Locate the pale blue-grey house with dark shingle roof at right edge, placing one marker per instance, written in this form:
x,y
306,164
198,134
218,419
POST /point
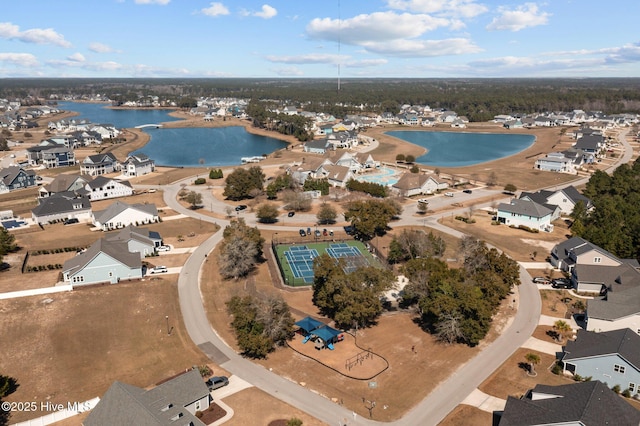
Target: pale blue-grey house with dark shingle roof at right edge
x,y
611,356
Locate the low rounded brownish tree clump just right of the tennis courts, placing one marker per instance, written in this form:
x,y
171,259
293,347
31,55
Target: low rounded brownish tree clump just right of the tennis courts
x,y
413,244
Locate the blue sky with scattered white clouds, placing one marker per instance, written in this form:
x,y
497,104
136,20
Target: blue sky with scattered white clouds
x,y
316,38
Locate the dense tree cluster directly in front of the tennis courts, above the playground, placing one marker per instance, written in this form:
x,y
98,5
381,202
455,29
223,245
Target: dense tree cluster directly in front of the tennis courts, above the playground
x,y
350,299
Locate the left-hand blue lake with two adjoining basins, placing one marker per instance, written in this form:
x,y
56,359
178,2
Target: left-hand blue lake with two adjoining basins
x,y
183,147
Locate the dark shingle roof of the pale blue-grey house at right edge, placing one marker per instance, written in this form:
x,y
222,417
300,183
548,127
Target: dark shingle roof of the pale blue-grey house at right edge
x,y
588,344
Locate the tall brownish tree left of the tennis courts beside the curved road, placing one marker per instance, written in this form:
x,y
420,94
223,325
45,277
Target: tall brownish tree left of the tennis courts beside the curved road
x,y
240,250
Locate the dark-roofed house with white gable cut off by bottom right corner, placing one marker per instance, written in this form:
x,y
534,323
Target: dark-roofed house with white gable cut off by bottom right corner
x,y
585,403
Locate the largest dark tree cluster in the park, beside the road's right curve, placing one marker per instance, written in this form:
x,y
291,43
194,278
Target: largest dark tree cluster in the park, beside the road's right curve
x,y
456,304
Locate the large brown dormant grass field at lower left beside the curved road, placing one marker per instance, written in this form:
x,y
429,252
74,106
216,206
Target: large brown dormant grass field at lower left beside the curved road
x,y
72,346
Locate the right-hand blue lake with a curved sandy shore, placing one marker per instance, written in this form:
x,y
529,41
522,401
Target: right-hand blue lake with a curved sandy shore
x,y
453,149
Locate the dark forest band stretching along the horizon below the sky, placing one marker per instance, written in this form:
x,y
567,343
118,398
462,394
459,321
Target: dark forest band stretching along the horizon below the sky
x,y
477,99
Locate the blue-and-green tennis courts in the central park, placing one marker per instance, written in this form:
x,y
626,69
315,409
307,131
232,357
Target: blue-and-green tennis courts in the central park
x,y
296,261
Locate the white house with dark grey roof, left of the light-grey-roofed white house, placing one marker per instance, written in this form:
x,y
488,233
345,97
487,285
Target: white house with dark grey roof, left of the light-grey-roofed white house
x,y
61,206
